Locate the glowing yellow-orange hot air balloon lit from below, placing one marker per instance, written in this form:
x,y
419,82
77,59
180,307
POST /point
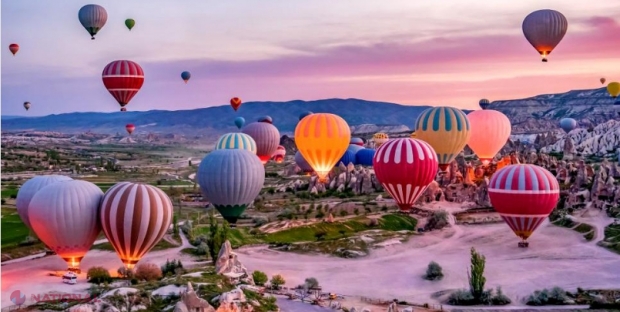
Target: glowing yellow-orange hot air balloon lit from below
x,y
322,139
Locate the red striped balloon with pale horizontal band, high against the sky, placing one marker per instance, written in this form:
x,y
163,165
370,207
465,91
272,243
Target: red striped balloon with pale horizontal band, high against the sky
x,y
123,79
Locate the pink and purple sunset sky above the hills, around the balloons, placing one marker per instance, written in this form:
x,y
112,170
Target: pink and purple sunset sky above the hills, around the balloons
x,y
440,52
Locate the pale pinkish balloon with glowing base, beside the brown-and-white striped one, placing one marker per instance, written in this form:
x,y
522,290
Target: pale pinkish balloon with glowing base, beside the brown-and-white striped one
x,y
64,215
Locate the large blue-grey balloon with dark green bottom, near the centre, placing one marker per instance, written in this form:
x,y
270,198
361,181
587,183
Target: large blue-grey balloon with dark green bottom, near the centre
x,y
231,179
